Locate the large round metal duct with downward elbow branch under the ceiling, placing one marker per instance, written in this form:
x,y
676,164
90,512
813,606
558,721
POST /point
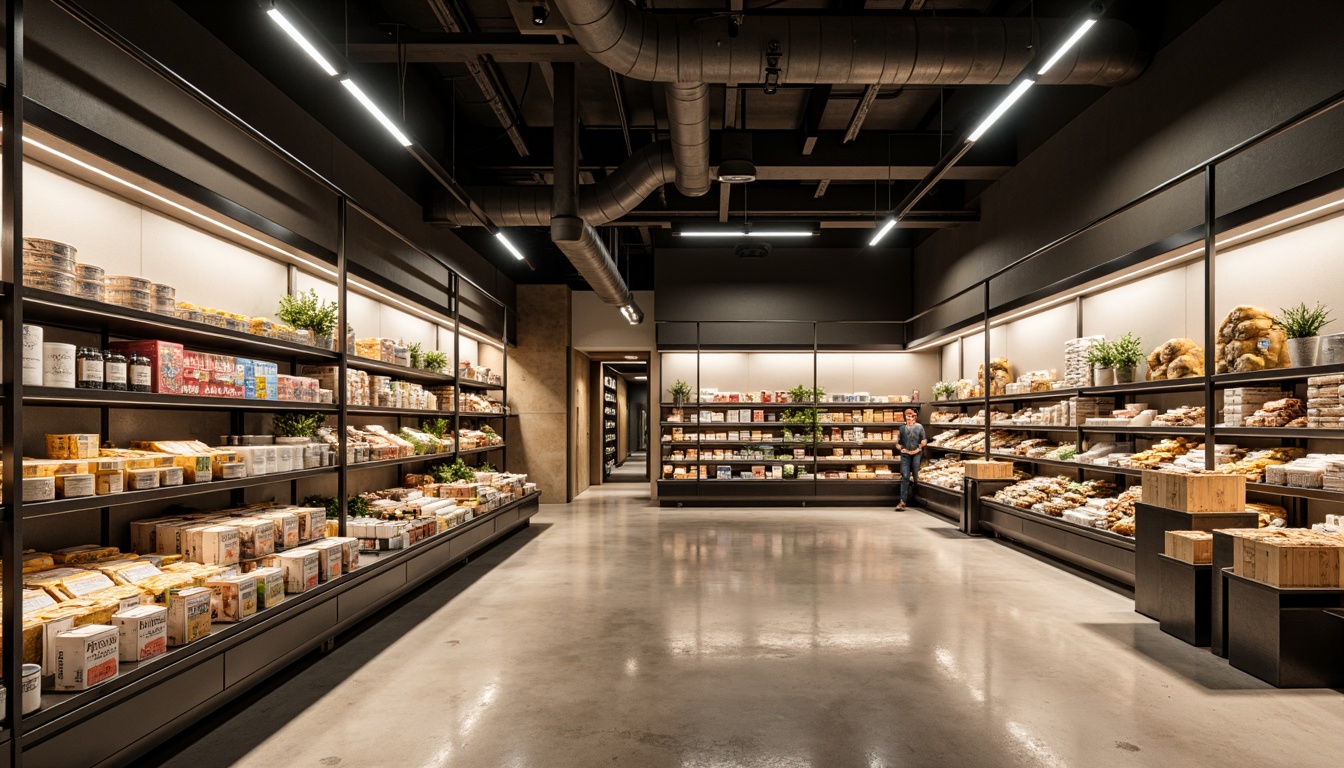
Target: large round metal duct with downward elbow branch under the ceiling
x,y
814,49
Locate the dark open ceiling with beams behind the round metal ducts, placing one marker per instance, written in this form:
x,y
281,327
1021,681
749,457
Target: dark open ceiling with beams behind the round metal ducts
x,y
831,158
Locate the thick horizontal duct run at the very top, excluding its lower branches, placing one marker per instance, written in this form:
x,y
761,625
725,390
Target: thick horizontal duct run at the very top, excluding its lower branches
x,y
823,49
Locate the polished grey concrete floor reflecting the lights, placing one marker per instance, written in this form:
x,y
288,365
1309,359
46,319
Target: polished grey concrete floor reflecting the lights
x,y
618,634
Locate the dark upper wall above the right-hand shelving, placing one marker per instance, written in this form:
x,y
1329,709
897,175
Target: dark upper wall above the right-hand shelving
x,y
1241,69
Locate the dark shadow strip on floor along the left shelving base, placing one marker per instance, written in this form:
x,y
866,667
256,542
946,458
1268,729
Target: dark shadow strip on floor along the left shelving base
x,y
323,672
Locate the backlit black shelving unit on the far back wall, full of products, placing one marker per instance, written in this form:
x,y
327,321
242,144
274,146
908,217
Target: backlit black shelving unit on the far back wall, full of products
x,y
821,440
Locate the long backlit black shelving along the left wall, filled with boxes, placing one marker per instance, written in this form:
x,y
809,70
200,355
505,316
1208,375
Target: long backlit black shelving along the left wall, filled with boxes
x,y
200,478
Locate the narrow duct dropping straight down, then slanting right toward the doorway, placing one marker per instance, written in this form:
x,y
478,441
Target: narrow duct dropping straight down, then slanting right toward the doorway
x,y
576,239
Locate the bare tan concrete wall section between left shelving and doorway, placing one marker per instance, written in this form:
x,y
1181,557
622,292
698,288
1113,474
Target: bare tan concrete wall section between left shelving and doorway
x,y
537,369
